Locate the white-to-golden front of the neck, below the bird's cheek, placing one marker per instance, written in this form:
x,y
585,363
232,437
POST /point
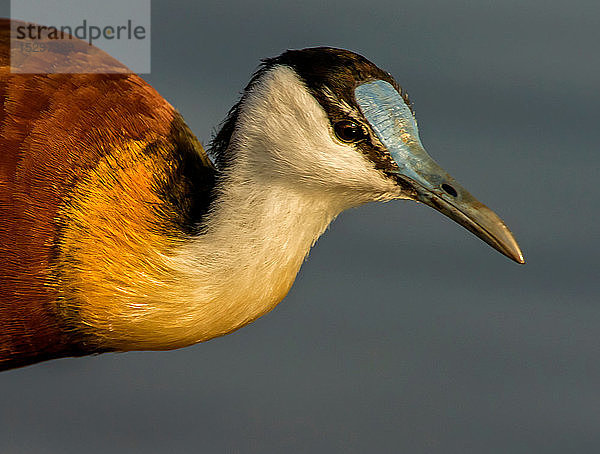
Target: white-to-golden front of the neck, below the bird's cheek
x,y
247,258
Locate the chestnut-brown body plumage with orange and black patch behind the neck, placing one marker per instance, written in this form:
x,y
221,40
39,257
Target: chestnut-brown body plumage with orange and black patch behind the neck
x,y
62,136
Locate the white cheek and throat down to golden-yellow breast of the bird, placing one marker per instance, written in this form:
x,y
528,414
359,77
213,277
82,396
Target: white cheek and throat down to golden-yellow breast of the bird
x,y
289,178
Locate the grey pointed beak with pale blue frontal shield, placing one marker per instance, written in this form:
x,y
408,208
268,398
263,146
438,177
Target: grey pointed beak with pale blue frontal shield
x,y
395,126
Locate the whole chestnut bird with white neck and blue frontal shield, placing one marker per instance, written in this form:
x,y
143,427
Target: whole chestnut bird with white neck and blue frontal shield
x,y
120,232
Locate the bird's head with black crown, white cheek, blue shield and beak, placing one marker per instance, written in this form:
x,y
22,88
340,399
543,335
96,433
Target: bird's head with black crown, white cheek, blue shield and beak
x,y
331,122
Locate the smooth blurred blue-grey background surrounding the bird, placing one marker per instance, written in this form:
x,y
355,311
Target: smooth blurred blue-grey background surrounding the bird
x,y
403,332
